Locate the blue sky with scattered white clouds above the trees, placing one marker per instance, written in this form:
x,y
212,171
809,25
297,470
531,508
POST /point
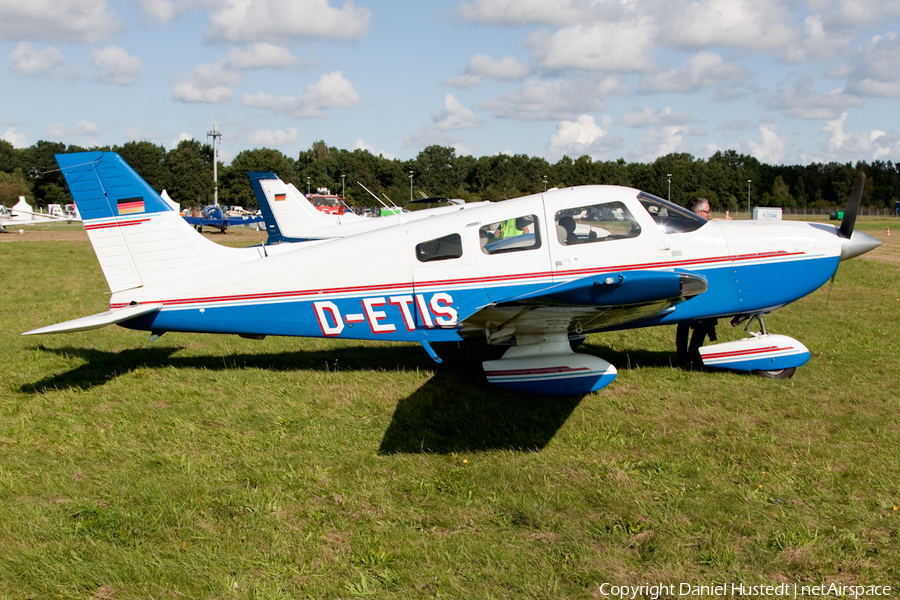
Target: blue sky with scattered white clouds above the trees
x,y
789,82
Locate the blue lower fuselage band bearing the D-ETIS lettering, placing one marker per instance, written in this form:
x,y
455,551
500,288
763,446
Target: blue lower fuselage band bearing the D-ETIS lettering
x,y
407,316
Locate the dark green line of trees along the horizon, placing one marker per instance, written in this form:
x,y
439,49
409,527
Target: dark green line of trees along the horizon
x,y
728,179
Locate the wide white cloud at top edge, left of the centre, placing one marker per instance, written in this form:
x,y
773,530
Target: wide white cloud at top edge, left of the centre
x,y
247,21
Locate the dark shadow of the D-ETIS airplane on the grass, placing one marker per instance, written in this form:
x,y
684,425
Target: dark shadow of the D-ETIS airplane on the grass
x,y
456,410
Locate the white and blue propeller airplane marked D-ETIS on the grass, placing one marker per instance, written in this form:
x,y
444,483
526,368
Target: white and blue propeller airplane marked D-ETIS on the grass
x,y
533,273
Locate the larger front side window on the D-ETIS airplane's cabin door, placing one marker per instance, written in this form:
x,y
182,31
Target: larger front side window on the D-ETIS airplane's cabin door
x,y
595,223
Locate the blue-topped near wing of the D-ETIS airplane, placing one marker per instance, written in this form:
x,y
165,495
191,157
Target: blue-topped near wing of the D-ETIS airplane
x,y
590,303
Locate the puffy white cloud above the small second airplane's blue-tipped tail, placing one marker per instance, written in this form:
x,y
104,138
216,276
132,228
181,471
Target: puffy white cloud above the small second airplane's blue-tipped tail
x,y
331,91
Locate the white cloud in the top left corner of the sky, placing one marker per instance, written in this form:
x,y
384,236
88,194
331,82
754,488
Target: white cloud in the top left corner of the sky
x,y
87,21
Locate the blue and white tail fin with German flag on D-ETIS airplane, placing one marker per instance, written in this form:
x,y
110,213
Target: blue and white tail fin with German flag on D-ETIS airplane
x,y
138,238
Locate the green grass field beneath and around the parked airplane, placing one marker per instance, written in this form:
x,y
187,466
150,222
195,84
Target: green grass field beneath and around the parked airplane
x,y
209,467
